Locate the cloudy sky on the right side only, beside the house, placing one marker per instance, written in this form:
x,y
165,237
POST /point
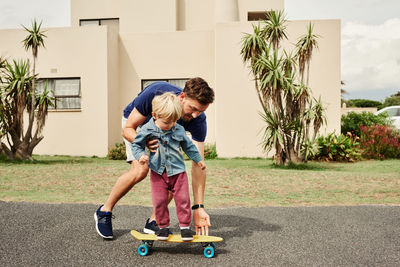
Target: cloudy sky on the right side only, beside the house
x,y
370,29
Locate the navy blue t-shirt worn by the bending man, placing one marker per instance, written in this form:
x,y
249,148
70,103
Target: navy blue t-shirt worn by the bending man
x,y
196,127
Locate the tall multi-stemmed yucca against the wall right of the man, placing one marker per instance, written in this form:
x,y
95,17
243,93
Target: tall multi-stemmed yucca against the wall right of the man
x,y
289,111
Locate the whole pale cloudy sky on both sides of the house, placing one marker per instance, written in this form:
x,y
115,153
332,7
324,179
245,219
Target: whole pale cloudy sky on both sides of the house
x,y
370,36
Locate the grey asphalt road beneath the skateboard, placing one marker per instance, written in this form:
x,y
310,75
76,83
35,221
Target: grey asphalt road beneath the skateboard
x,y
35,234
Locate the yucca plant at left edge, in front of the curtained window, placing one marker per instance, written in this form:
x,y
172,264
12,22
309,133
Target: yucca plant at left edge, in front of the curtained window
x,y
17,96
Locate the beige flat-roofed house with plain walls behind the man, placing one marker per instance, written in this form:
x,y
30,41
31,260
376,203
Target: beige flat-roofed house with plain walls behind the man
x,y
115,47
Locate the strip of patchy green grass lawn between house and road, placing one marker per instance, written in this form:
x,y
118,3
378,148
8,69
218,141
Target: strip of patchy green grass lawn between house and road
x,y
230,182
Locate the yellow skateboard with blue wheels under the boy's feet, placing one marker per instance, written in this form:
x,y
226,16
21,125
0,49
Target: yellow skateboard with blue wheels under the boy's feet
x,y
148,240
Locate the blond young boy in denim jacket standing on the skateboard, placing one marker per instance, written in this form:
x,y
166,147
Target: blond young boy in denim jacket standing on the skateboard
x,y
166,164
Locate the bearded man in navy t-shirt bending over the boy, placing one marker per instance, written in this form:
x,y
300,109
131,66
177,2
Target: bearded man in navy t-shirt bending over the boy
x,y
195,99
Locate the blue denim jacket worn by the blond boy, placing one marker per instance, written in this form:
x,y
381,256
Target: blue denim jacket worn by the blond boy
x,y
168,155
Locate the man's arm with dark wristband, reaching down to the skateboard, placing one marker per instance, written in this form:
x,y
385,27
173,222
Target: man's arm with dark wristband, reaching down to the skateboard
x,y
201,219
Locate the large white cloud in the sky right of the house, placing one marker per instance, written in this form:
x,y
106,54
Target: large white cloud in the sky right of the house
x,y
371,56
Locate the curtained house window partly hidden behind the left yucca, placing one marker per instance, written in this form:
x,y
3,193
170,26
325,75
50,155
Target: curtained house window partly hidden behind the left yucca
x,y
66,91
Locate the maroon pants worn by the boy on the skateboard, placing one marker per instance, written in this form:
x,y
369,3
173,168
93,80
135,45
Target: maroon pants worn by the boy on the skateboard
x,y
178,185
